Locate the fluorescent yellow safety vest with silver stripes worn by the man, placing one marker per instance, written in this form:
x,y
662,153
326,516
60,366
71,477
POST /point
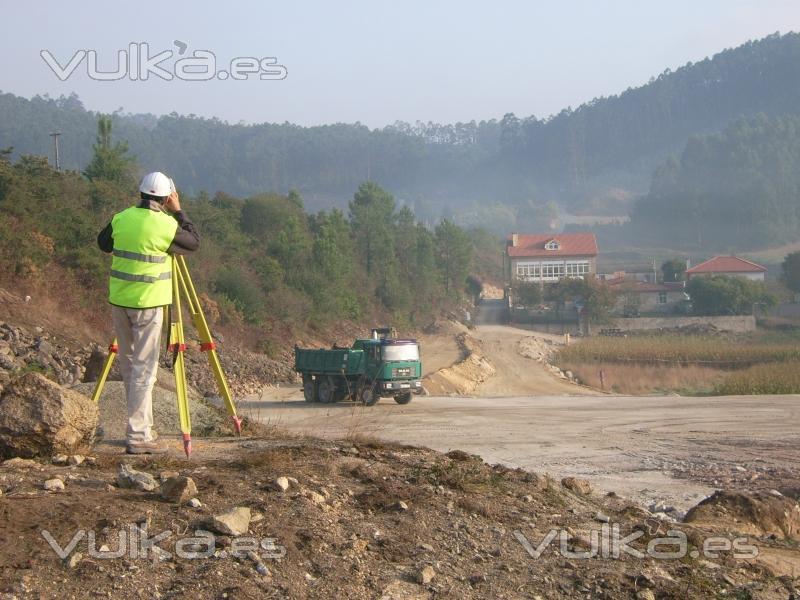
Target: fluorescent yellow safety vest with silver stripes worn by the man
x,y
141,270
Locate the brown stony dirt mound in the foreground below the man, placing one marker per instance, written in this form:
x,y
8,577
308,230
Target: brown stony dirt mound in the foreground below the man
x,y
354,519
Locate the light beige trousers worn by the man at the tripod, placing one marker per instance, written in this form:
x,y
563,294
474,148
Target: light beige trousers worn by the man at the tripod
x,y
138,335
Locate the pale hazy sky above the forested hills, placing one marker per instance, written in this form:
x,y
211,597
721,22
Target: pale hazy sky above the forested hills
x,y
377,62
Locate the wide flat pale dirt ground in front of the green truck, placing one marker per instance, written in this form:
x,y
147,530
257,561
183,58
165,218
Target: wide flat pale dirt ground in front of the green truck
x,y
669,449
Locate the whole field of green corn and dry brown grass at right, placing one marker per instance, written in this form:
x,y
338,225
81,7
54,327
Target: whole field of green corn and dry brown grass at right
x,y
692,365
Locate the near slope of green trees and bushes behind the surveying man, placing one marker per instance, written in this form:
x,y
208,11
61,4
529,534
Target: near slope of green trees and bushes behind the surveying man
x,y
266,266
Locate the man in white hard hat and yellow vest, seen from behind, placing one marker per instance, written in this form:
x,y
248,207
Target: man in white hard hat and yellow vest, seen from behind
x,y
143,239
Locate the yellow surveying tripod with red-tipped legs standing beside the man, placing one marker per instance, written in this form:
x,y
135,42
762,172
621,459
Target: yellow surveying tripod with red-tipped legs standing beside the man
x,y
182,283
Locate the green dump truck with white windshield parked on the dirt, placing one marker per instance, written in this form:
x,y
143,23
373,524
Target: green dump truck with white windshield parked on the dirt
x,y
380,366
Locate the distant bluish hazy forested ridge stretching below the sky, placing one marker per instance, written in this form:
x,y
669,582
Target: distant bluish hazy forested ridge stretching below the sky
x,y
574,157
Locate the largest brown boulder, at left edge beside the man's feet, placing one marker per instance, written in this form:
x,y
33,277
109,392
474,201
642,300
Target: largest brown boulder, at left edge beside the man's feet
x,y
40,418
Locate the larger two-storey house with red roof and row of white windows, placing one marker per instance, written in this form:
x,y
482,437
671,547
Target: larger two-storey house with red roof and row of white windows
x,y
550,257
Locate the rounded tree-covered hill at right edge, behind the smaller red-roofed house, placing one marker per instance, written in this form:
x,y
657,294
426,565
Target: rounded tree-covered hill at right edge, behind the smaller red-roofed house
x,y
739,188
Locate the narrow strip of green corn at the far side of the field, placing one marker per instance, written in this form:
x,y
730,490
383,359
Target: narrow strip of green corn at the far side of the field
x,y
680,350
